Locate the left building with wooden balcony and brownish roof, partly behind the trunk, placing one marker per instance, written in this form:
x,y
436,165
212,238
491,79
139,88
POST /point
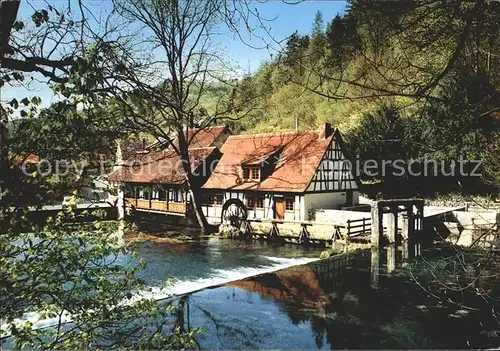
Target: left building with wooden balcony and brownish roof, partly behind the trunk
x,y
152,178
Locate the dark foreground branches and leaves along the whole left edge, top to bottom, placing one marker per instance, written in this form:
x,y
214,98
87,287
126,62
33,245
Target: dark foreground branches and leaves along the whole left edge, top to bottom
x,y
71,269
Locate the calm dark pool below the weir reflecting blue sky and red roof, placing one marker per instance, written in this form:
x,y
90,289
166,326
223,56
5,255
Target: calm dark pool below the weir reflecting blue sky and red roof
x,y
326,304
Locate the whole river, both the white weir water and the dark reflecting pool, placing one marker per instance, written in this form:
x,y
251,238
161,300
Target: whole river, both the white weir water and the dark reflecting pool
x,y
251,294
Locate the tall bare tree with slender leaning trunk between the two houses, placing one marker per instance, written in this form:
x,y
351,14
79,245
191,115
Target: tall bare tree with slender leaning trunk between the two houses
x,y
163,96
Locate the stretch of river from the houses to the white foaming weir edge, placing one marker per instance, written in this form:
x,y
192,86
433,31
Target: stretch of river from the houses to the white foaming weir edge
x,y
203,263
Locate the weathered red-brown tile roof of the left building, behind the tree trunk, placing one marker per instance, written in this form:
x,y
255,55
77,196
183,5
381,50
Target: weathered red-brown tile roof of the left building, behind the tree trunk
x,y
163,166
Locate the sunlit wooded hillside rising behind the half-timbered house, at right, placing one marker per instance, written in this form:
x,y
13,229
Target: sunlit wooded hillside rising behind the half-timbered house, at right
x,y
401,79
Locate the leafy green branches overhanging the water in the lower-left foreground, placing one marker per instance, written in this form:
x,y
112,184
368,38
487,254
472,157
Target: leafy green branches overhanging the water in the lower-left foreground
x,y
80,275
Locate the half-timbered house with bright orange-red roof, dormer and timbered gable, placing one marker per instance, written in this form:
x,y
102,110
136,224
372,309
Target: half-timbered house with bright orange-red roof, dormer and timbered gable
x,y
284,176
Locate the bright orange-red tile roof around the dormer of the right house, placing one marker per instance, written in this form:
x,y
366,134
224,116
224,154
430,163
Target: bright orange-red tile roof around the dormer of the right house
x,y
300,157
